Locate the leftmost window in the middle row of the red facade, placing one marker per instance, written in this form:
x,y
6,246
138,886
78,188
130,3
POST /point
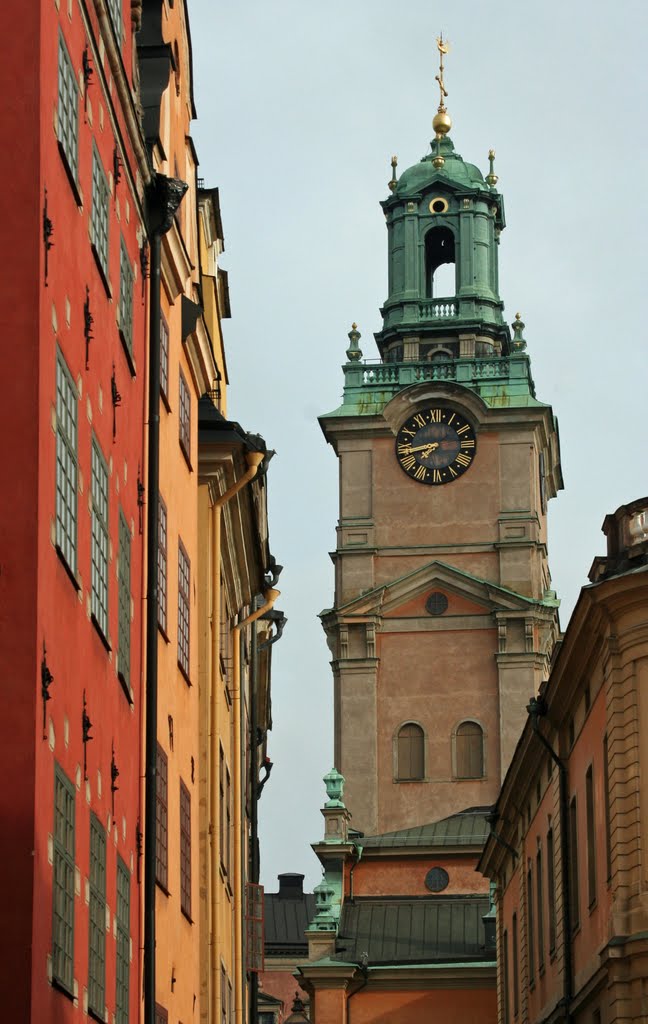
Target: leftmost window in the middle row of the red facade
x,y
67,466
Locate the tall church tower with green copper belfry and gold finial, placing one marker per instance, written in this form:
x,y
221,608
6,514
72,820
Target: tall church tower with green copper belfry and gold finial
x,y
445,619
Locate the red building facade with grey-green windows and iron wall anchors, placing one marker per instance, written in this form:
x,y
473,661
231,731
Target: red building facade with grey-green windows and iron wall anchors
x,y
71,589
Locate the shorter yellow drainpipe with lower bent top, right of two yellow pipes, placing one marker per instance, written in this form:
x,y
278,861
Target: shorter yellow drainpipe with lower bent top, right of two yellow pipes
x,y
271,598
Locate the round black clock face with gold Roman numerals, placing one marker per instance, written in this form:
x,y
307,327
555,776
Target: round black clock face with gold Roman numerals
x,y
436,446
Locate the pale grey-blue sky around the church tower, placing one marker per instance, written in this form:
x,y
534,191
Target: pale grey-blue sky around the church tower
x,y
300,108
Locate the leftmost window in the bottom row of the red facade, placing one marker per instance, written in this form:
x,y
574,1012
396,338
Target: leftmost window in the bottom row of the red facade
x,y
64,883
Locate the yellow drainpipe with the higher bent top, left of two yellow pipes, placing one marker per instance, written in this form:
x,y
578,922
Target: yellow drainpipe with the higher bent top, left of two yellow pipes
x,y
254,460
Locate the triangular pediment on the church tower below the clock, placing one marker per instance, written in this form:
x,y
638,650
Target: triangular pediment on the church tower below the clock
x,y
407,595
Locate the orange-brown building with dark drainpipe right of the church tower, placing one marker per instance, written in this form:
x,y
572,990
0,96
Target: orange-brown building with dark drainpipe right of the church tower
x,y
569,835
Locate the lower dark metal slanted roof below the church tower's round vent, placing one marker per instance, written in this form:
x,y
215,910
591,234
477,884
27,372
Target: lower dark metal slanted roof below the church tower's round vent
x,y
419,930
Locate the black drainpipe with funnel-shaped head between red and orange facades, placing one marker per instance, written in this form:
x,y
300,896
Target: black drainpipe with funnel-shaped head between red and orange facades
x,y
164,197
